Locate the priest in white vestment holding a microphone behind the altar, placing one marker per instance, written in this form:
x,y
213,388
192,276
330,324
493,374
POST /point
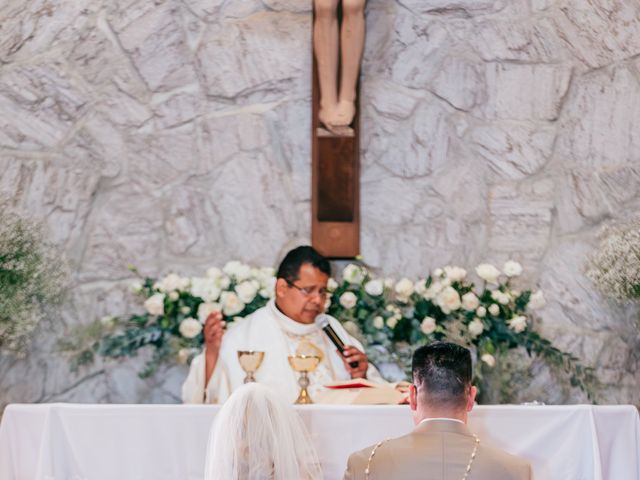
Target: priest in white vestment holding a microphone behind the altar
x,y
284,327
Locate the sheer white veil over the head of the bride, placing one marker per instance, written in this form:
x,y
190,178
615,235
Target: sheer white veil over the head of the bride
x,y
257,435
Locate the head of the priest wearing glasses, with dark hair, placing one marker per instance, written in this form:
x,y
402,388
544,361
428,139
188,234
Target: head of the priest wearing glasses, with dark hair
x,y
301,286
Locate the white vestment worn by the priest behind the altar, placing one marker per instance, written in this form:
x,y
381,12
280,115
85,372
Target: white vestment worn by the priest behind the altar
x,y
272,332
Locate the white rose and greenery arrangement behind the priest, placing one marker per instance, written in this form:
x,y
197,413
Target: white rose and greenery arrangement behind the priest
x,y
388,316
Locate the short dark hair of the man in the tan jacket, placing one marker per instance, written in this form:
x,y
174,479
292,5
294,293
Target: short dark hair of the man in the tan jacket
x,y
444,372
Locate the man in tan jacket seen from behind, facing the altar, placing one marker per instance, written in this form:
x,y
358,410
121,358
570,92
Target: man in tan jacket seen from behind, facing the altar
x,y
441,447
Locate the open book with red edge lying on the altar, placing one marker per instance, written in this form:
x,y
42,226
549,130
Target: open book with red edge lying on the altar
x,y
360,391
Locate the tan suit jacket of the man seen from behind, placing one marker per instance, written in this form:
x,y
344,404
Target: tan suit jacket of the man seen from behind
x,y
436,450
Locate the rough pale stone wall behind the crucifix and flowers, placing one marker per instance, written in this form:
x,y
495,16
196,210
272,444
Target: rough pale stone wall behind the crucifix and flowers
x,y
174,135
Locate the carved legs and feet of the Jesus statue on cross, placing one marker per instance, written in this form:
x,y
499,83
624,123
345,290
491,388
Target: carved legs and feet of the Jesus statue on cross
x,y
333,42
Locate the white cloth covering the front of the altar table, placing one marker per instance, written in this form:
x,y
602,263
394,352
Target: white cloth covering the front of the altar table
x,y
168,442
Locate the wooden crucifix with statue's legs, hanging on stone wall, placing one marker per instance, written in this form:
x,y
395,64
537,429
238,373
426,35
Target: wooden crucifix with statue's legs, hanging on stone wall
x,y
338,40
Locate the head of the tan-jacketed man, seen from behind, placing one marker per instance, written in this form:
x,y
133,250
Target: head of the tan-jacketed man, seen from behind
x,y
442,377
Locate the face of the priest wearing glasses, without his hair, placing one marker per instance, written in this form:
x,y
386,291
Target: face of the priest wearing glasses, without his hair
x,y
303,299
